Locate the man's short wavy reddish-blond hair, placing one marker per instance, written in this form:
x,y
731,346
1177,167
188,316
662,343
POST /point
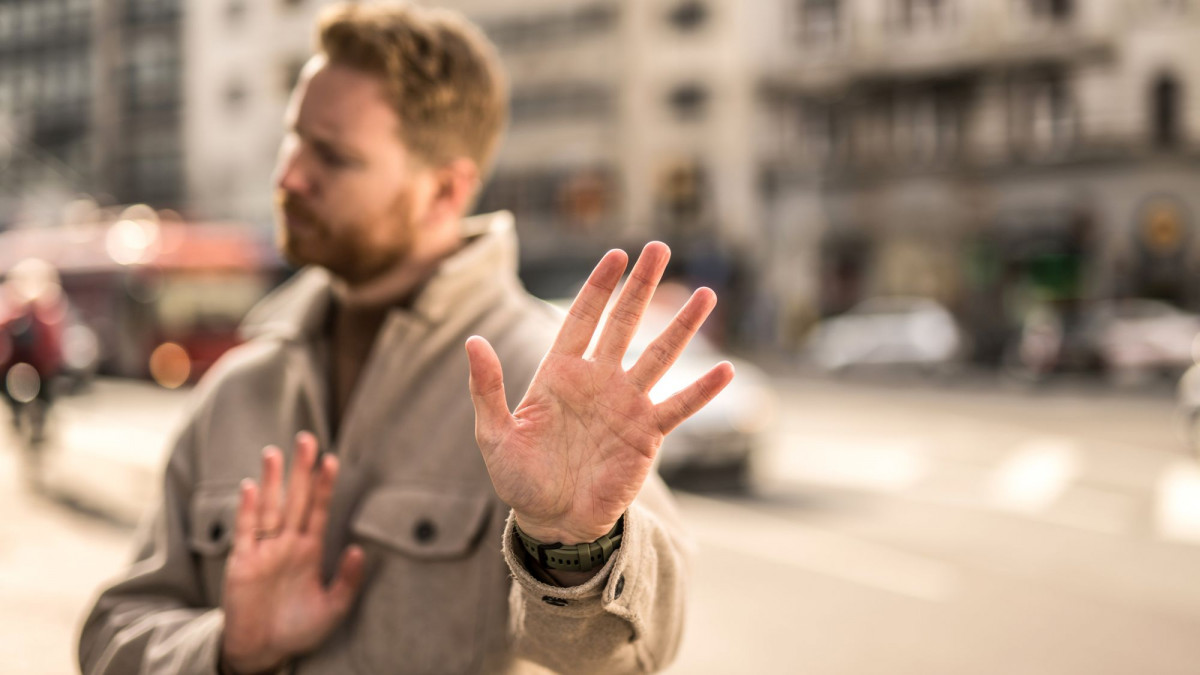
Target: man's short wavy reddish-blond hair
x,y
441,75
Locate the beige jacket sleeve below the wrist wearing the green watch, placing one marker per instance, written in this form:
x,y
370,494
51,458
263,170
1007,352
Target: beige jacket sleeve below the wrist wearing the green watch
x,y
628,618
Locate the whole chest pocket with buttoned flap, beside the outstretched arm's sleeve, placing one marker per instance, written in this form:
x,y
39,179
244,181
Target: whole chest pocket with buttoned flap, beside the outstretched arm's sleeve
x,y
430,577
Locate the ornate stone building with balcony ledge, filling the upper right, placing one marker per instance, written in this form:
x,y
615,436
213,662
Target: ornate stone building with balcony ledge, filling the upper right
x,y
985,153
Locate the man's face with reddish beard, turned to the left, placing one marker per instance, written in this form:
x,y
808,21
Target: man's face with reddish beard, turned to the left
x,y
347,190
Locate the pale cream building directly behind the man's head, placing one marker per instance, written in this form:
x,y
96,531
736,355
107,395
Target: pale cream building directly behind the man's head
x,y
628,118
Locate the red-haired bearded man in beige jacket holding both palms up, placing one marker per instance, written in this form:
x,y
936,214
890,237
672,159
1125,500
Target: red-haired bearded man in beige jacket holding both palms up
x,y
394,548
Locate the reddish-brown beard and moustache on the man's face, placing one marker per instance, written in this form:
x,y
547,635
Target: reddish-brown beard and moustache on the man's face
x,y
307,238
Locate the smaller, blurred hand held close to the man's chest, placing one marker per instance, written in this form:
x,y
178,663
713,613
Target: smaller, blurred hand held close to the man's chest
x,y
275,604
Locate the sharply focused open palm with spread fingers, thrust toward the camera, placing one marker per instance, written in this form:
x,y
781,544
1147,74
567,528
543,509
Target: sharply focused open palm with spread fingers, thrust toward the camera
x,y
579,447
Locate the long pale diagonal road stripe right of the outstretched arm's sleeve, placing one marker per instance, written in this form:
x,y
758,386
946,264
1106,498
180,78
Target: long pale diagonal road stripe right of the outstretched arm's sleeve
x,y
751,533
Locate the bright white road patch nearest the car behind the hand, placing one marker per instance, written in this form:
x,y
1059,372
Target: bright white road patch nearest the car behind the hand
x,y
885,465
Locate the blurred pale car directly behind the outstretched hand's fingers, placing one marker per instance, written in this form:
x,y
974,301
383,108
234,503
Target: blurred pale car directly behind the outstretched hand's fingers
x,y
713,447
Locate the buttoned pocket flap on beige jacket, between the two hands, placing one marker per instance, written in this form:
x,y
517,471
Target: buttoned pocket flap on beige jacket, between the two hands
x,y
423,522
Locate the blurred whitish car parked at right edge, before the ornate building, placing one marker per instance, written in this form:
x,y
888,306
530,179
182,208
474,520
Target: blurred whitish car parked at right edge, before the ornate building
x,y
1139,337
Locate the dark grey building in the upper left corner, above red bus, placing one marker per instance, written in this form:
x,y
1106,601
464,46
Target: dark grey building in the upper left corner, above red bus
x,y
91,103
